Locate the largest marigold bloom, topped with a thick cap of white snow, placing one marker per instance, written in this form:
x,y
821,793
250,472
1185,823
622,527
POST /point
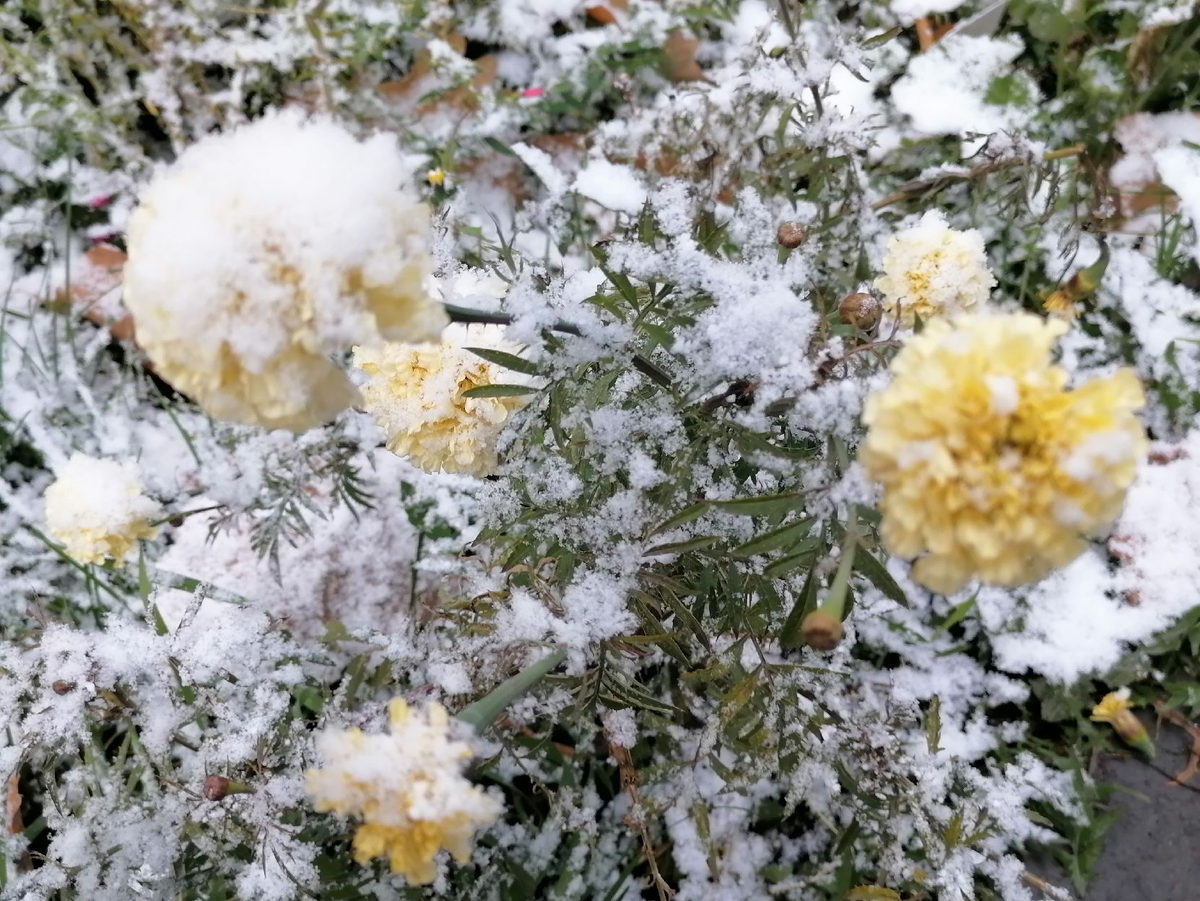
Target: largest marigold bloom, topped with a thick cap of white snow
x,y
265,251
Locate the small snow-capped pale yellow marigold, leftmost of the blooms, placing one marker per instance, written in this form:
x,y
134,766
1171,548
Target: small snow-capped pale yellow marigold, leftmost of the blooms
x,y
97,508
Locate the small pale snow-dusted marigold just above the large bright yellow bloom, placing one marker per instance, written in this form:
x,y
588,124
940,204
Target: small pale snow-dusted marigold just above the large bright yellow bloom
x,y
934,271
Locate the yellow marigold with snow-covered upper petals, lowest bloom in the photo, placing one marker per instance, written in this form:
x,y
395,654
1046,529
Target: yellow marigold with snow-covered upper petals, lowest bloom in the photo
x,y
409,789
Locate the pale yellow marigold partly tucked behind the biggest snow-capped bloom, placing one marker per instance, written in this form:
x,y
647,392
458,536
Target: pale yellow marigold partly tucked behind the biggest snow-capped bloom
x,y
416,394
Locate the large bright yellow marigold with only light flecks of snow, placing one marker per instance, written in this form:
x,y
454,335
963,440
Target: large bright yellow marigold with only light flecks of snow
x,y
991,466
